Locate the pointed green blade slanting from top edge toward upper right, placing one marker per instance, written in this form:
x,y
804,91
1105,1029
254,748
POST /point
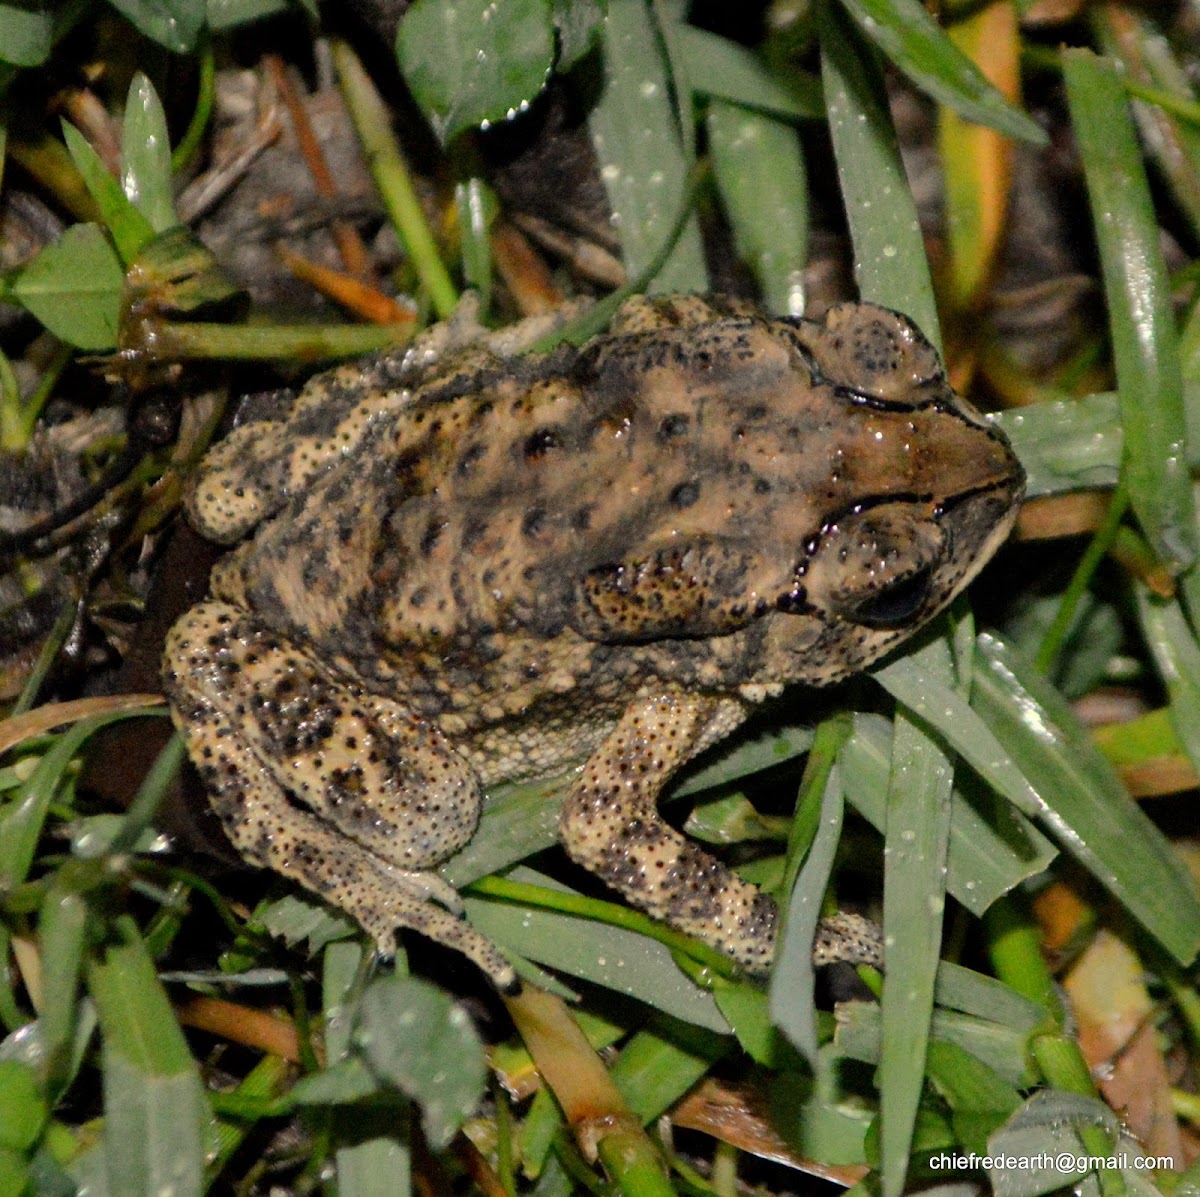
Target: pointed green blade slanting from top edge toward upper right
x,y
911,40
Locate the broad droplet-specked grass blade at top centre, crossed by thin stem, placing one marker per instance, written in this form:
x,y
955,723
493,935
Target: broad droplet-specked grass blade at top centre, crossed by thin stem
x,y
643,159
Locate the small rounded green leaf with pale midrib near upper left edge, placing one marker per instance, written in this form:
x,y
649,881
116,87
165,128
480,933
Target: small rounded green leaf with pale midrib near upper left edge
x,y
74,287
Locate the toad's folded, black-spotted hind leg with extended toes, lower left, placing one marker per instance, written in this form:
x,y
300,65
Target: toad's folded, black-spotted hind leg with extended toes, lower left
x,y
337,789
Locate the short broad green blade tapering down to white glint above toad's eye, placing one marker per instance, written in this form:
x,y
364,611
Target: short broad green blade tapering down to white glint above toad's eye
x,y
760,172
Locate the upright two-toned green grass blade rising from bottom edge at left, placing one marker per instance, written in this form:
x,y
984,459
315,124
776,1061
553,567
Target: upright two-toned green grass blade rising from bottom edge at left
x,y
155,1110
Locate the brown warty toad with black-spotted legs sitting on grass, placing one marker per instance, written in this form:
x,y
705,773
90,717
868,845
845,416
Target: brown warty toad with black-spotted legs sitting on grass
x,y
461,564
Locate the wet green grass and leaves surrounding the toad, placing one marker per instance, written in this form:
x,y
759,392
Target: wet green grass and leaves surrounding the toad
x,y
171,1032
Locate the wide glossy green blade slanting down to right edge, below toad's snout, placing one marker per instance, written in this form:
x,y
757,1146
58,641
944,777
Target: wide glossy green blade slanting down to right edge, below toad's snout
x,y
1085,808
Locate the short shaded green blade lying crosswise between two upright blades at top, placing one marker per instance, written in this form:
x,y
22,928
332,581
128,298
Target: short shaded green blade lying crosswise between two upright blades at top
x,y
723,69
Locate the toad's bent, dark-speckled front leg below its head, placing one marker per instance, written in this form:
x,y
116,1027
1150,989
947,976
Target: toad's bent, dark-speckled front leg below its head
x,y
611,827
